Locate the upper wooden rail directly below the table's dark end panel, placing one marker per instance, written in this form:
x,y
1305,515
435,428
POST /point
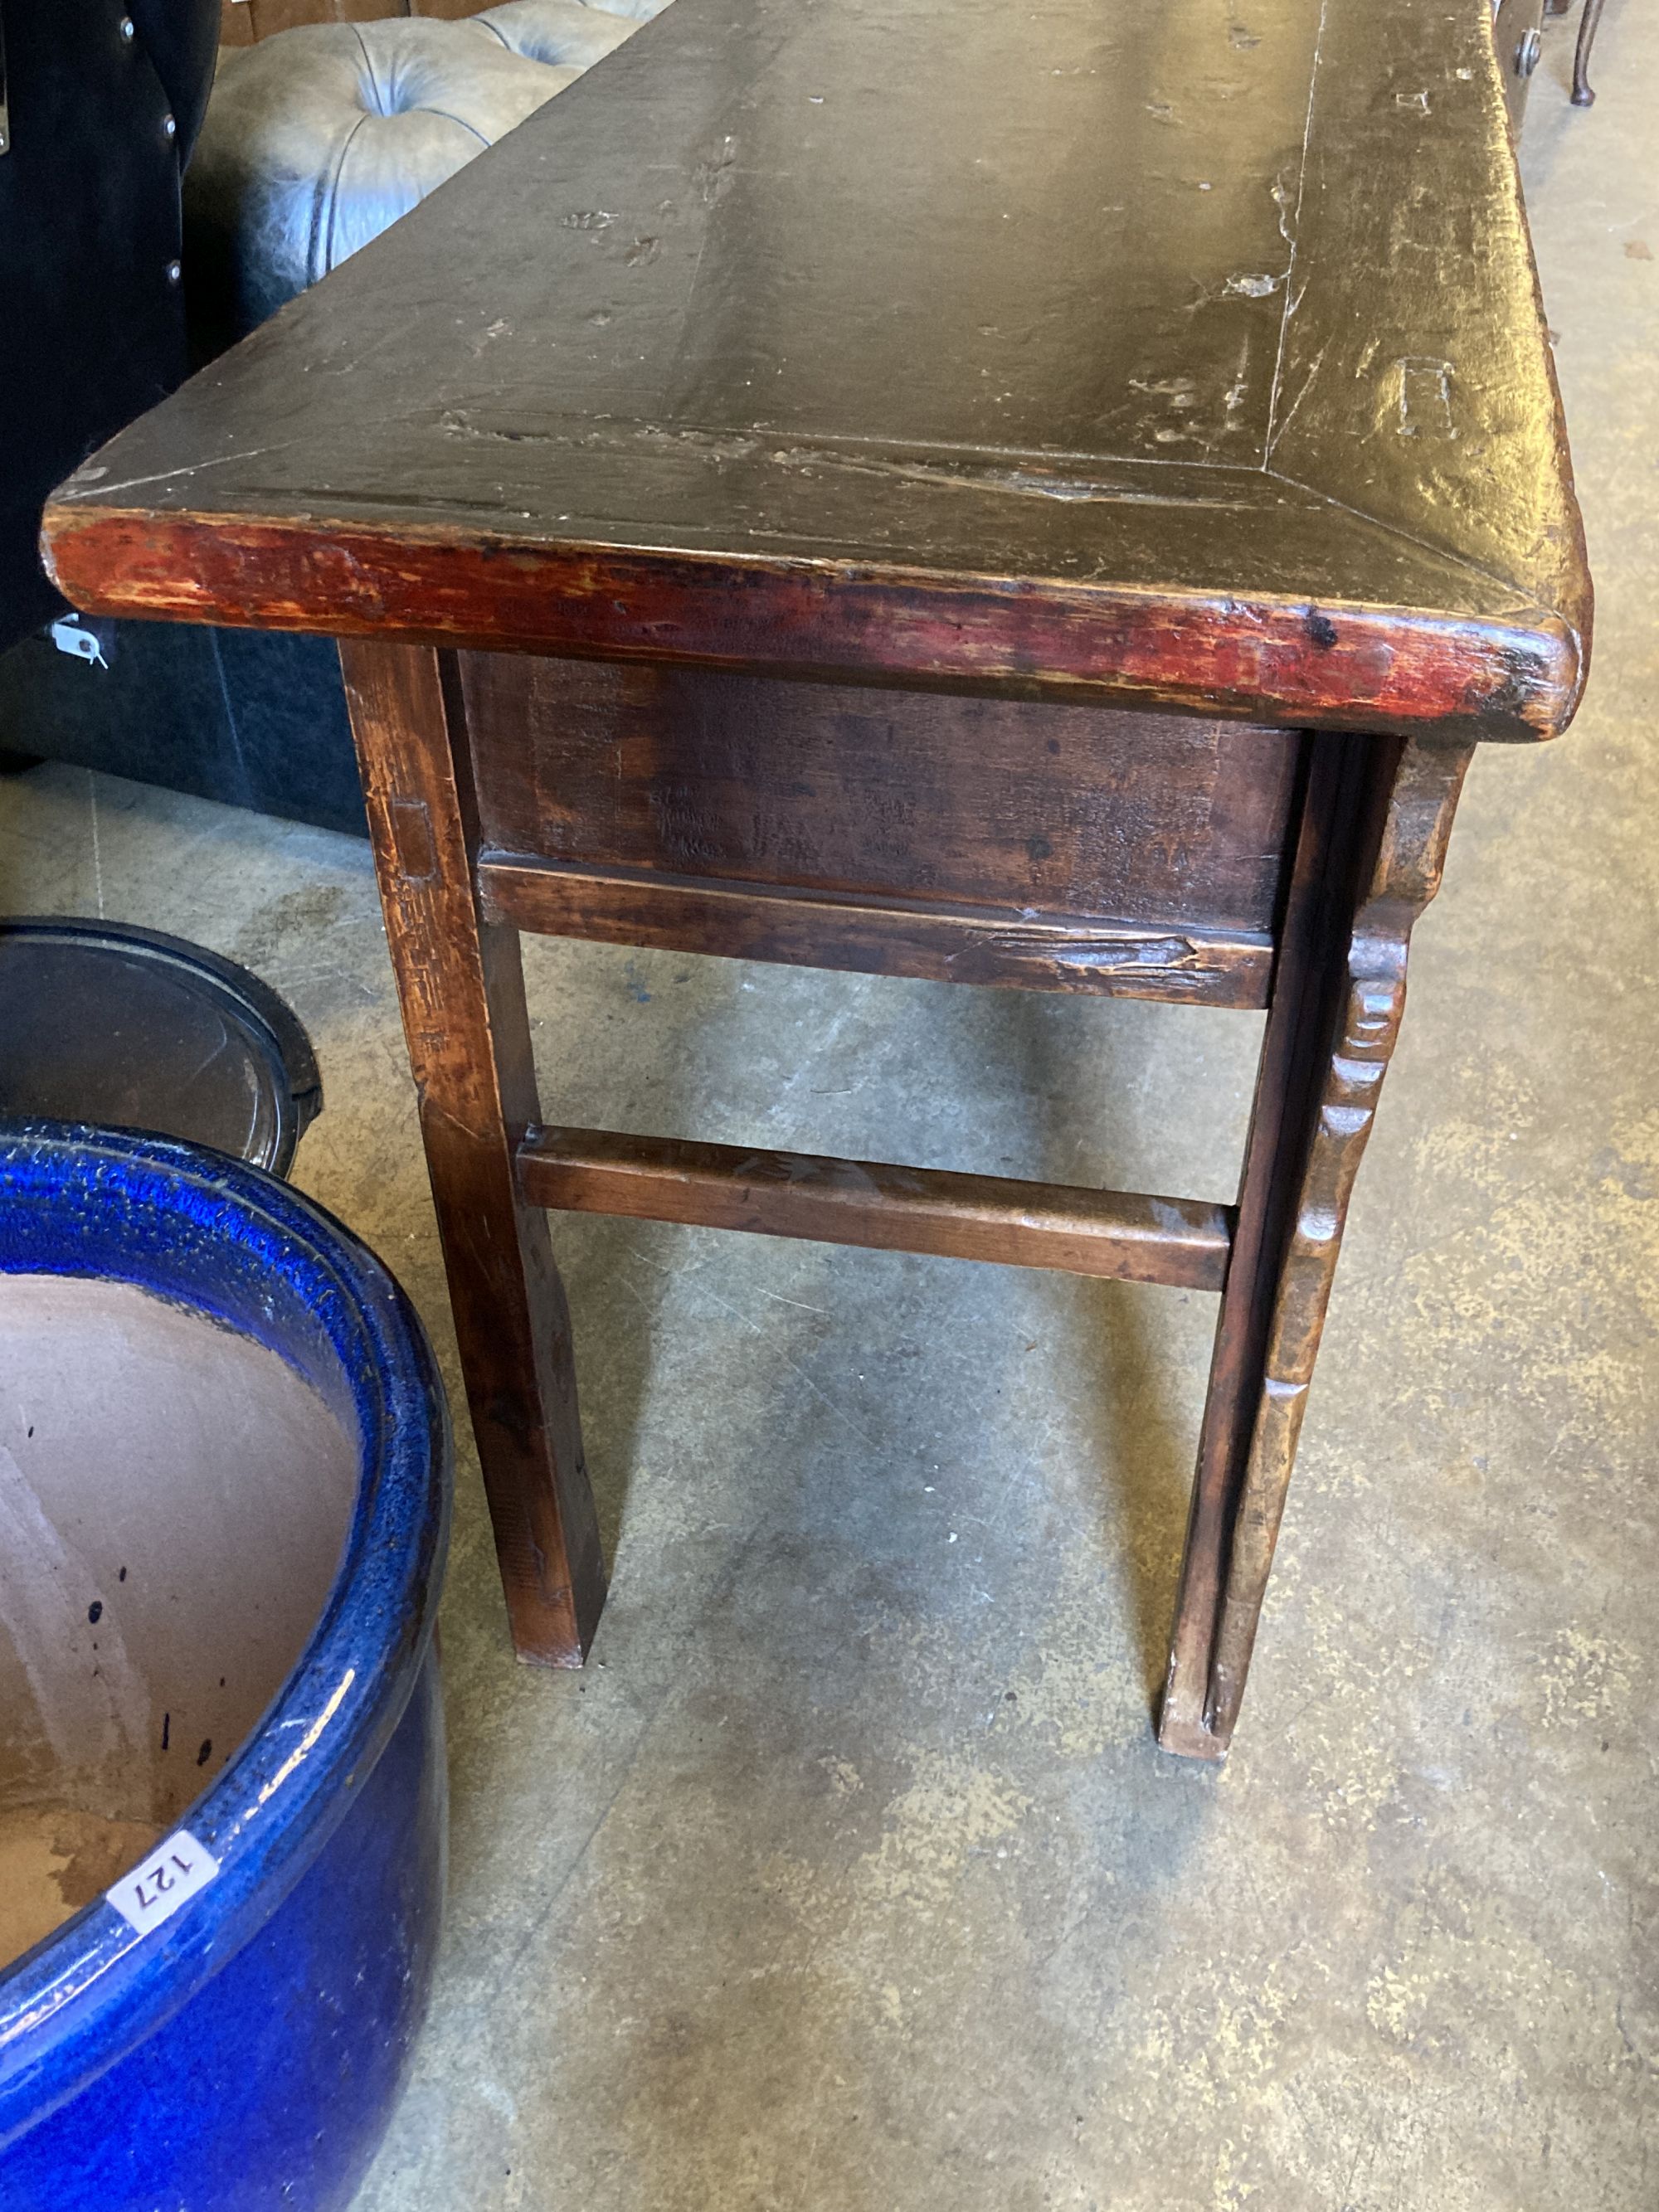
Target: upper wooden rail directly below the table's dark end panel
x,y
1034,952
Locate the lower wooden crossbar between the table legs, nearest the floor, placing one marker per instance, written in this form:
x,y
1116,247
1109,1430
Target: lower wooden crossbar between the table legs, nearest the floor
x,y
862,1202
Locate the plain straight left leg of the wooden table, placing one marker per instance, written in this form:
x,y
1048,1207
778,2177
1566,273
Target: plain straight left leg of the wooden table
x,y
463,1012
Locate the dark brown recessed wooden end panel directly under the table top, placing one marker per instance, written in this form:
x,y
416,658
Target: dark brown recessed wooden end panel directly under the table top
x,y
899,795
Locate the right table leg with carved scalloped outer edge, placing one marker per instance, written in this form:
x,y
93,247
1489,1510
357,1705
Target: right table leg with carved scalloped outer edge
x,y
1373,842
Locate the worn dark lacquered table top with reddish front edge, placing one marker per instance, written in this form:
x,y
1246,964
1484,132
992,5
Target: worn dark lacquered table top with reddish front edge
x,y
1140,351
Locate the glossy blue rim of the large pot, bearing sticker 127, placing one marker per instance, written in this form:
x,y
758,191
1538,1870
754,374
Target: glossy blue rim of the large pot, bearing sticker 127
x,y
94,1990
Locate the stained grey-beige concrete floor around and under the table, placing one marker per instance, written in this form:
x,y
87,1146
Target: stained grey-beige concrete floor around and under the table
x,y
848,1877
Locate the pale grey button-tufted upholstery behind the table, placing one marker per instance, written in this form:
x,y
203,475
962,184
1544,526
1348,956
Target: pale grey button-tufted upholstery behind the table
x,y
324,136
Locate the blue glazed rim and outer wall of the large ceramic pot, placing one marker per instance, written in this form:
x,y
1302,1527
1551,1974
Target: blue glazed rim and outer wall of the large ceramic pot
x,y
242,2049
